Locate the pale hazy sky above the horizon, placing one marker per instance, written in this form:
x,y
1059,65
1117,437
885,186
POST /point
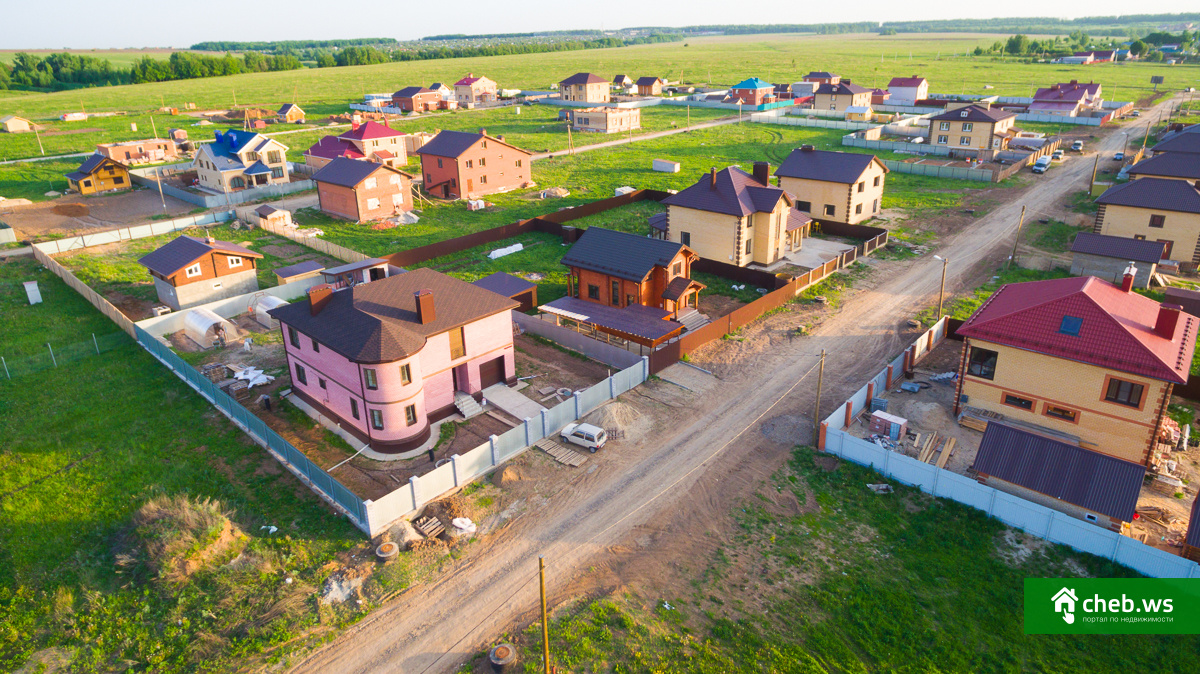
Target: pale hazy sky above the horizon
x,y
87,25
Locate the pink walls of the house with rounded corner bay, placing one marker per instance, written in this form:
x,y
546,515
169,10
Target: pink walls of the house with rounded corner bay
x,y
431,389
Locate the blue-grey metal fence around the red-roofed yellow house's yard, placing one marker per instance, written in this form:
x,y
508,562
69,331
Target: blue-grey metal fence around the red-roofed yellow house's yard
x,y
1017,513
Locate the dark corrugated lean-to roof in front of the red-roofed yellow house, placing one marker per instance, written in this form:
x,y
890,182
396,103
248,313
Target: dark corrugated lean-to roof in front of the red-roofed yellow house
x,y
1090,480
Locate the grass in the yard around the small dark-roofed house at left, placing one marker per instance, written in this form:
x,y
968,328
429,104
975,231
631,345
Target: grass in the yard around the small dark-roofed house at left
x,y
118,269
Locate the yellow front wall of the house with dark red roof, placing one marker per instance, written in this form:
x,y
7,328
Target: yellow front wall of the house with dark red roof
x,y
1105,426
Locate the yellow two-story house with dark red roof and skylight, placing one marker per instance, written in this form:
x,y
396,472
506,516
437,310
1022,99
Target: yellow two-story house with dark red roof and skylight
x,y
1081,358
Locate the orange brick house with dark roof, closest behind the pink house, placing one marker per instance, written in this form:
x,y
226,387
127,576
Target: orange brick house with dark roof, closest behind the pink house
x,y
363,191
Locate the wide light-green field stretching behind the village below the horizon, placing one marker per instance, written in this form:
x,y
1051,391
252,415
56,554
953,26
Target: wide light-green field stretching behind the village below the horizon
x,y
868,59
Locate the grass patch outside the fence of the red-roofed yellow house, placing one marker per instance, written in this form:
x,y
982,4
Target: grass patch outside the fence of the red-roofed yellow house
x,y
849,582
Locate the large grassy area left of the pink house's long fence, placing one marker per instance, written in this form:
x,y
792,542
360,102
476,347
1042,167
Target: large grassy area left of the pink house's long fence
x,y
127,430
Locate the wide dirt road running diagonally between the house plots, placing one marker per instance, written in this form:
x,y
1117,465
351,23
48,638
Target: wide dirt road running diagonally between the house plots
x,y
673,488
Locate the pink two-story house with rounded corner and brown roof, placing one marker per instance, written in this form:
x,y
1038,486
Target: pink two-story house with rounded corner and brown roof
x,y
389,358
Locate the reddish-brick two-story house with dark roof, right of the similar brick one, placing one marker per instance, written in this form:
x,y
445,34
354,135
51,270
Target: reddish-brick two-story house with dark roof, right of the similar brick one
x,y
465,166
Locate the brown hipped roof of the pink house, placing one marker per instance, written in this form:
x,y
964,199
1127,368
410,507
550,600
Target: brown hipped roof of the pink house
x,y
376,322
